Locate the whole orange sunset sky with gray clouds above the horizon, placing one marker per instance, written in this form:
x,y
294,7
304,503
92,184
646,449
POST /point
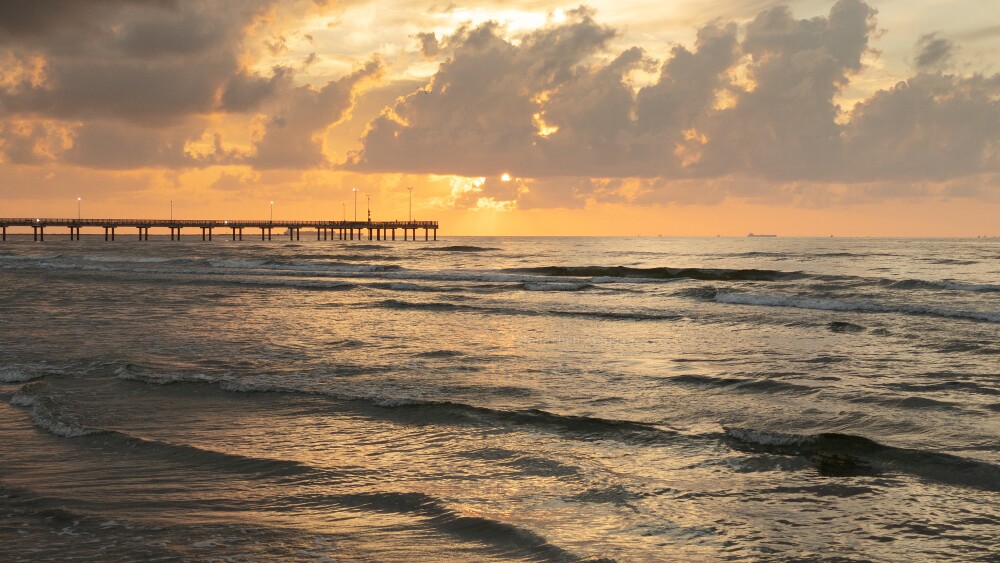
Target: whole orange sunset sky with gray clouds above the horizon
x,y
524,117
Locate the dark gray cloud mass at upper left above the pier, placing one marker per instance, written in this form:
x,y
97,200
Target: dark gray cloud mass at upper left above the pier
x,y
136,83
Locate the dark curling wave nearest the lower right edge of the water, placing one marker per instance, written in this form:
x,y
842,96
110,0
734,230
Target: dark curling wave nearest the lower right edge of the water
x,y
846,454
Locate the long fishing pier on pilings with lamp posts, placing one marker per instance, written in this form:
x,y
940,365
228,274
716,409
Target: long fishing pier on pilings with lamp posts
x,y
325,230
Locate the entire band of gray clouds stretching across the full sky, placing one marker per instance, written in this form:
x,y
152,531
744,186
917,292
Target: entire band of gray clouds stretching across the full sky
x,y
129,84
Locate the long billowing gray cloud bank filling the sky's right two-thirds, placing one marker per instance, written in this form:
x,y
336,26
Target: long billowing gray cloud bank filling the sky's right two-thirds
x,y
552,103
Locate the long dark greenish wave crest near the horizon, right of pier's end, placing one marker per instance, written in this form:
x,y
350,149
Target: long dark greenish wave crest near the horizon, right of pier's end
x,y
660,273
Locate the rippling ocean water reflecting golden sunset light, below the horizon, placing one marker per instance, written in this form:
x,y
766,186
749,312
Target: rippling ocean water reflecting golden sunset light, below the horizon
x,y
487,399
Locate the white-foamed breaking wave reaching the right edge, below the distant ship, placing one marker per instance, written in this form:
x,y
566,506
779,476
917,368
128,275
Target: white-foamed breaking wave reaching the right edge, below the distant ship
x,y
855,306
